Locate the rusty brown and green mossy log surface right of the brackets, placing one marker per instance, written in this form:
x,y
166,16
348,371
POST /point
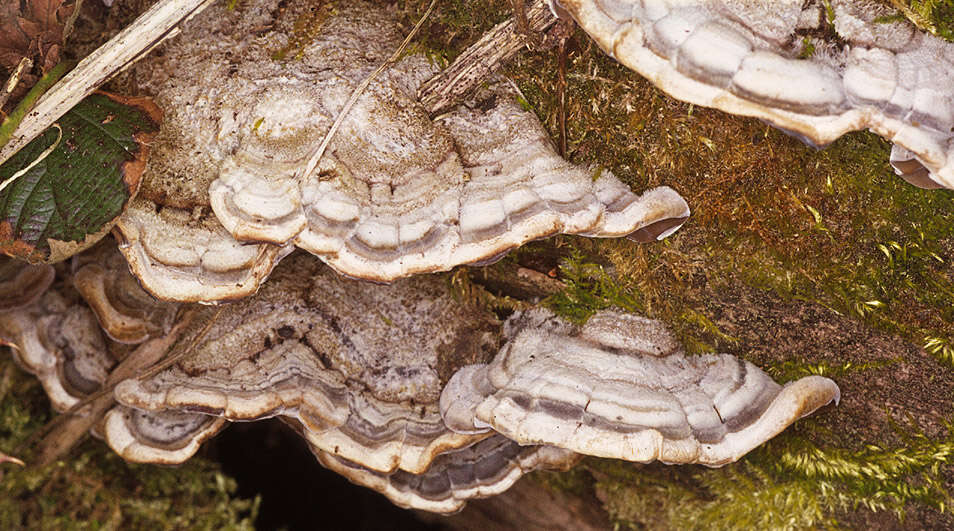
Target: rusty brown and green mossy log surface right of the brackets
x,y
853,265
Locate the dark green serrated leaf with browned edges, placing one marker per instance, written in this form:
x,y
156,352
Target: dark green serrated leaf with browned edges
x,y
71,198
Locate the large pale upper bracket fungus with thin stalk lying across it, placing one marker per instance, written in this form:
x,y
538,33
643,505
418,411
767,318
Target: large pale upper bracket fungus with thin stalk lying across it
x,y
396,192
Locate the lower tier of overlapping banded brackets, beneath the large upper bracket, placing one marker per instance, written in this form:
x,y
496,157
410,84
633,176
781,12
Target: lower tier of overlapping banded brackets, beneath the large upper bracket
x,y
401,388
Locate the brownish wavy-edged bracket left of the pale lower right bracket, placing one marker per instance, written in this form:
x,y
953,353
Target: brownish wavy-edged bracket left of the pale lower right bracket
x,y
359,365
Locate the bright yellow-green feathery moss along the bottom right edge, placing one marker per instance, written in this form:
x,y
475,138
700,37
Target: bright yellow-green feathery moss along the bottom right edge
x,y
786,484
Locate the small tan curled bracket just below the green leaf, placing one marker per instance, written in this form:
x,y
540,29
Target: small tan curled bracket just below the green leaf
x,y
126,312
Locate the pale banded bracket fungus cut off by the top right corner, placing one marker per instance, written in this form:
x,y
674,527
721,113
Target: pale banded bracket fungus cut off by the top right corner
x,y
784,62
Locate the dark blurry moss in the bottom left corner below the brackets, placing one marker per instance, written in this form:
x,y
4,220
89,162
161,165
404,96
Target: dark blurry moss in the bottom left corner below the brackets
x,y
95,488
